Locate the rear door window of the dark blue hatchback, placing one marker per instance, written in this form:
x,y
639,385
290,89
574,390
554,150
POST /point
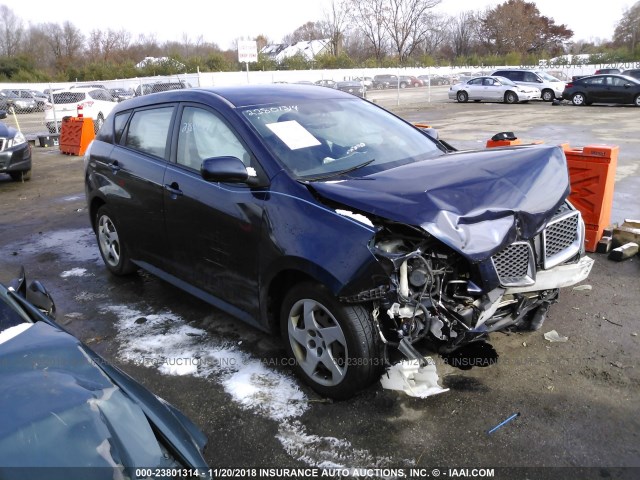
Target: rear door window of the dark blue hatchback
x,y
149,129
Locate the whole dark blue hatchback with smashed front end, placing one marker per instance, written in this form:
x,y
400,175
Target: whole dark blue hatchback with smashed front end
x,y
321,216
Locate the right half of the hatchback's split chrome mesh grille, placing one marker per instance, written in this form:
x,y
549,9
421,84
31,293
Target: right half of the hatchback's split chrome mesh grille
x,y
561,239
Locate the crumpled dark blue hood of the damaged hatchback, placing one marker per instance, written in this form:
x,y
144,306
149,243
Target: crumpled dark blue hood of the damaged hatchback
x,y
471,201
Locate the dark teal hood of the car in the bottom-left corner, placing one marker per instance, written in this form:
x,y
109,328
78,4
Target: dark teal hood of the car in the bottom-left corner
x,y
65,412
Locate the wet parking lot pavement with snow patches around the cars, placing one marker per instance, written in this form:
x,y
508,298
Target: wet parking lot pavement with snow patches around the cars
x,y
578,401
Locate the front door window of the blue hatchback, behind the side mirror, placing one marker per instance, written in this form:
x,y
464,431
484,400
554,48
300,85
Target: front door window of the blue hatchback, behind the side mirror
x,y
205,135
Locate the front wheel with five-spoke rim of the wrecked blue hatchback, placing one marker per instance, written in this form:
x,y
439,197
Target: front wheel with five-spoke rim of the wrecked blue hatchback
x,y
334,346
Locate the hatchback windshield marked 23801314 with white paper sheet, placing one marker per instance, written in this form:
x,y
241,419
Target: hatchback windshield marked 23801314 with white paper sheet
x,y
319,140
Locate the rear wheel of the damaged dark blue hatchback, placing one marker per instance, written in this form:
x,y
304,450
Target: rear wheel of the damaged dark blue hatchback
x,y
112,246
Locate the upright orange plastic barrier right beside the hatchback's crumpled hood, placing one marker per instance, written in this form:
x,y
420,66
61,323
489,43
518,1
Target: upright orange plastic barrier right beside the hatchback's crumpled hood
x,y
592,175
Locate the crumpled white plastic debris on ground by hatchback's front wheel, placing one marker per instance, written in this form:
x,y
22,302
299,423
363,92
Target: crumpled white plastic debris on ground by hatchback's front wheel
x,y
416,381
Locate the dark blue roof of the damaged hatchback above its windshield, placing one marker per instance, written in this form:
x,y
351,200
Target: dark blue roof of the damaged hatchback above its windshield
x,y
241,96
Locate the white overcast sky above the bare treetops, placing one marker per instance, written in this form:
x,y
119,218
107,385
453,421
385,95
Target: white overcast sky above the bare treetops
x,y
222,22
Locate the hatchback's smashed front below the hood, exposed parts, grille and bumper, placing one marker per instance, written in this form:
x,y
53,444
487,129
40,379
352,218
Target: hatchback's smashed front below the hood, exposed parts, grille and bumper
x,y
433,292
